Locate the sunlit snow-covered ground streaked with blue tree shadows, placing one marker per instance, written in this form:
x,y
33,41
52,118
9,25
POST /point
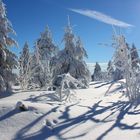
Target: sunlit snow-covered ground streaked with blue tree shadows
x,y
89,115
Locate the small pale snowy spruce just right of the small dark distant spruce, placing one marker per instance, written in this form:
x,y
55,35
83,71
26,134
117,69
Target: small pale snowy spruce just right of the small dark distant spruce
x,y
110,71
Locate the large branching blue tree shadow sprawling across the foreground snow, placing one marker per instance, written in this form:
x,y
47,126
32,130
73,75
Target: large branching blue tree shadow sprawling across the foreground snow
x,y
120,109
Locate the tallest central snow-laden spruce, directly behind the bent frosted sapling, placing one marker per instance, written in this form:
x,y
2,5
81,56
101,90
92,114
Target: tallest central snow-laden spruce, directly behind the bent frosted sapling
x,y
71,58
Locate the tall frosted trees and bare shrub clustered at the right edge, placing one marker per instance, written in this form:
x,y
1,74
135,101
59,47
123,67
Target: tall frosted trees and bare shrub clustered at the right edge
x,y
126,63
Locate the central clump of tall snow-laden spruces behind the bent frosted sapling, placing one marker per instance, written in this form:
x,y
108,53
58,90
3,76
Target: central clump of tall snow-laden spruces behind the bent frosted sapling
x,y
42,68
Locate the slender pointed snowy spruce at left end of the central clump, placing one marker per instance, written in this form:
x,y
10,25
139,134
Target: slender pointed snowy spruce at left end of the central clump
x,y
24,67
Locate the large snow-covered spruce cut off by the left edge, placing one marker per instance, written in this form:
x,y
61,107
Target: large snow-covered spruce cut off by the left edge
x,y
7,58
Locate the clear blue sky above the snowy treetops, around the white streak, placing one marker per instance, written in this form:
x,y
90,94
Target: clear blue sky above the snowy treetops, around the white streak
x,y
30,17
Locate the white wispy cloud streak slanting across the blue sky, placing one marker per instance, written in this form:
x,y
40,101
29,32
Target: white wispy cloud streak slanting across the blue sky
x,y
102,17
